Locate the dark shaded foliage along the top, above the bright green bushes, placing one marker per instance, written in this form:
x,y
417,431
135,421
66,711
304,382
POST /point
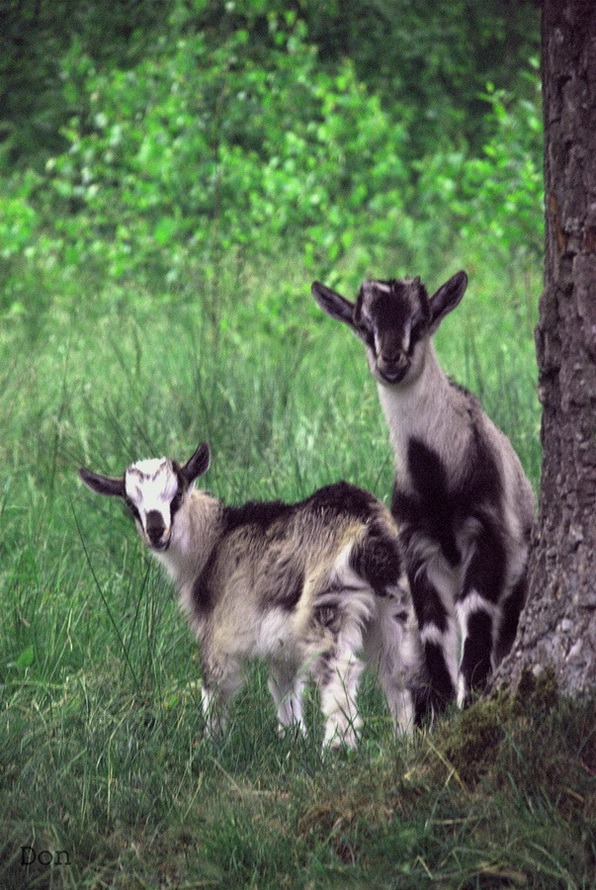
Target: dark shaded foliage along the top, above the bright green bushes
x,y
429,60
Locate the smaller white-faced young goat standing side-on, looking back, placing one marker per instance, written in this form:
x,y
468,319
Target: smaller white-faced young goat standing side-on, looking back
x,y
302,586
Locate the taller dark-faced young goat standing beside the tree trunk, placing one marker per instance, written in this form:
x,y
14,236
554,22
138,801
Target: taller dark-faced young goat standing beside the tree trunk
x,y
461,499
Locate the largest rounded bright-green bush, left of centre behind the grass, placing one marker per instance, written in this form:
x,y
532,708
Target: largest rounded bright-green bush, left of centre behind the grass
x,y
203,150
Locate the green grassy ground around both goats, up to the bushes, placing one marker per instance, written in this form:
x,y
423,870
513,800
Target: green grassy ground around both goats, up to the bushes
x,y
102,749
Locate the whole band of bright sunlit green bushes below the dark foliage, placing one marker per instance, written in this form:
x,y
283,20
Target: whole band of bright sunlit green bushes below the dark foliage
x,y
218,152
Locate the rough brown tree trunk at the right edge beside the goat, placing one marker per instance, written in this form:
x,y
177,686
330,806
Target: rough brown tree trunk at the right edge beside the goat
x,y
558,626
